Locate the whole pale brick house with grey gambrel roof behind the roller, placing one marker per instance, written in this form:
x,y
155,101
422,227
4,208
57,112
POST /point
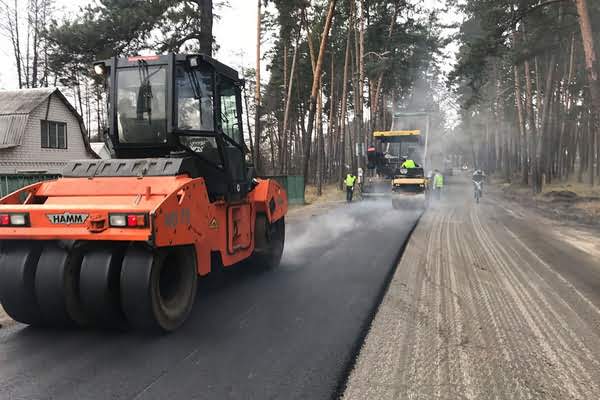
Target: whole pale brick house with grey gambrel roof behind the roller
x,y
39,132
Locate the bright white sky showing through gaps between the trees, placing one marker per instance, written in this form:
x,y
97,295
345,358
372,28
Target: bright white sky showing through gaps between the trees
x,y
234,30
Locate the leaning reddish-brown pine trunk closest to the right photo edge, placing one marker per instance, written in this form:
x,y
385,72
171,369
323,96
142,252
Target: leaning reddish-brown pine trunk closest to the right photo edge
x,y
591,66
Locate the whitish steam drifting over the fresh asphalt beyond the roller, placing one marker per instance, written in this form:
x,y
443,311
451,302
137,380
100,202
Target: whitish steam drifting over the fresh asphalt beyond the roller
x,y
334,227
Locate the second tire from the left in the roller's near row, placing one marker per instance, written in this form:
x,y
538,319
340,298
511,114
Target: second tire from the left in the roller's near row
x,y
57,285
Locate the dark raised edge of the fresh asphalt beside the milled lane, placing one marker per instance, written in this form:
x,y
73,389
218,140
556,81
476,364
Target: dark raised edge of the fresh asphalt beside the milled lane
x,y
366,326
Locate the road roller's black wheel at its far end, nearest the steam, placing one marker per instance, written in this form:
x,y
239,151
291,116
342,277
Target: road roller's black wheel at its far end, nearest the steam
x,y
269,243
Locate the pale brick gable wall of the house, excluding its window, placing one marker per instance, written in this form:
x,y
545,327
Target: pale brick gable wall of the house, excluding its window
x,y
30,156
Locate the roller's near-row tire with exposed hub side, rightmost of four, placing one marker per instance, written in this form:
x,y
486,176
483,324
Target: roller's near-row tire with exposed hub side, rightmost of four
x,y
158,288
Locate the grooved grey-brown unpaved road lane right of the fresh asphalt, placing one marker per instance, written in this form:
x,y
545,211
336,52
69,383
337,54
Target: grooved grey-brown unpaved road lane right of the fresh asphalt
x,y
489,301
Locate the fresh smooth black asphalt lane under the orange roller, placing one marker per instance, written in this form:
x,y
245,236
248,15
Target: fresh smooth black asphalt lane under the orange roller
x,y
291,333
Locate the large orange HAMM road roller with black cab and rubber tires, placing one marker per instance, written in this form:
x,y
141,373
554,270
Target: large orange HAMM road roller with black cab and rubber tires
x,y
122,242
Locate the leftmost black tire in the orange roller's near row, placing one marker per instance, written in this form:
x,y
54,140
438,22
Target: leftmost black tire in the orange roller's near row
x,y
18,264
